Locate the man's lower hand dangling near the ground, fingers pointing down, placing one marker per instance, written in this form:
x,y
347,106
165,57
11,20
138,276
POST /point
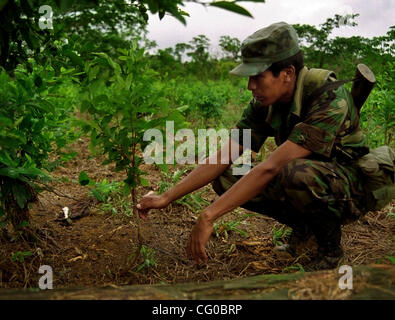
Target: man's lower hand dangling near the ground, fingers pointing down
x,y
200,234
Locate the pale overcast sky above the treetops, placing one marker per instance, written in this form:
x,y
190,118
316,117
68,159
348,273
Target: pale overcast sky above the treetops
x,y
376,16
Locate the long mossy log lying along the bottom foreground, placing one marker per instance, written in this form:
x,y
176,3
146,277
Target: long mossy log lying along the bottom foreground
x,y
369,282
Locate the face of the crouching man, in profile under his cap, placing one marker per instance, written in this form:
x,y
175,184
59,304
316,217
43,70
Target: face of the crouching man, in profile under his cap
x,y
268,89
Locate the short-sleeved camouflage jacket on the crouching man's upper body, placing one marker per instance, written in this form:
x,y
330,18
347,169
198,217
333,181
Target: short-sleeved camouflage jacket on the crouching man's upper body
x,y
328,126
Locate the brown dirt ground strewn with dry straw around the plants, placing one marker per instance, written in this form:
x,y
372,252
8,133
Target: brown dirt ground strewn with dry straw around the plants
x,y
95,250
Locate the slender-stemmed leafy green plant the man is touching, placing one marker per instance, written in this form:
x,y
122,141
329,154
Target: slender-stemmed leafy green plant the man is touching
x,y
124,97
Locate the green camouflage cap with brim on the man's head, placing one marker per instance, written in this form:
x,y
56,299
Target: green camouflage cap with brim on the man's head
x,y
266,46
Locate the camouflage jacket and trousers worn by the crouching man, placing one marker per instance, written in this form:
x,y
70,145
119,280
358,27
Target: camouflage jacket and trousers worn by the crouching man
x,y
320,192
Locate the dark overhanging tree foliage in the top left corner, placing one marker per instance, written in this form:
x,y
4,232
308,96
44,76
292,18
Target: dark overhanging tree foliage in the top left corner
x,y
21,35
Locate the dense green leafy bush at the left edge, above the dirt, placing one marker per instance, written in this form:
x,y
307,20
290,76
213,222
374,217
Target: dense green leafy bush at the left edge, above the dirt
x,y
33,121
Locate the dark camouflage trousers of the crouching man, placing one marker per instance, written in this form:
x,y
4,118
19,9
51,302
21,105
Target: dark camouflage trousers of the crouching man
x,y
308,193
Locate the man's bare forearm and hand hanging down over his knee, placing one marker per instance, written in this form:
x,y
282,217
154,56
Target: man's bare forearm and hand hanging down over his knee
x,y
245,189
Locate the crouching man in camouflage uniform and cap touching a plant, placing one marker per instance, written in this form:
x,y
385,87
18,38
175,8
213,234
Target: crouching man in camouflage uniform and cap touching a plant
x,y
311,182
